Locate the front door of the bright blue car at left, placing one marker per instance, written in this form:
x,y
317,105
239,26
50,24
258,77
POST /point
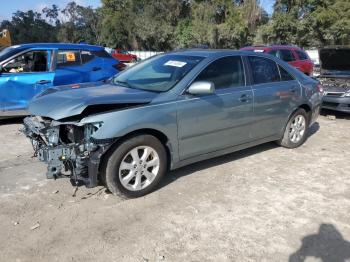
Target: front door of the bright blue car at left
x,y
23,77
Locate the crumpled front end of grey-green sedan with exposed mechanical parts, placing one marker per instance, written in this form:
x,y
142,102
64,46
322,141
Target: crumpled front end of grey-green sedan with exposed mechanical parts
x,y
67,148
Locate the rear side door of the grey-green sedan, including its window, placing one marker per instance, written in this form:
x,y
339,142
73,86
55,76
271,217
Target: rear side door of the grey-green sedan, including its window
x,y
276,94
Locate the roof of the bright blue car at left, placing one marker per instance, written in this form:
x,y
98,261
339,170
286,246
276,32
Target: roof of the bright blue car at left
x,y
60,46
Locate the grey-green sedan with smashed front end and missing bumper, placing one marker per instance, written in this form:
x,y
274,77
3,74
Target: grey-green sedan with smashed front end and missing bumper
x,y
169,111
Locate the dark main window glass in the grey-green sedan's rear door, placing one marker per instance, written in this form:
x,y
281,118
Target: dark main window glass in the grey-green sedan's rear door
x,y
263,70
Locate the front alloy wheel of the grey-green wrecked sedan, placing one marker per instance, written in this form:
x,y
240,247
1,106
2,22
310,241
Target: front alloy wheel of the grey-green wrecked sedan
x,y
136,166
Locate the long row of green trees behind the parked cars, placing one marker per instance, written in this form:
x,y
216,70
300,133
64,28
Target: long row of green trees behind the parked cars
x,y
171,24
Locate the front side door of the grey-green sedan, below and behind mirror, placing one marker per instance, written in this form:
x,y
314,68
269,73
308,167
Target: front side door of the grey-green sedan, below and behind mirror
x,y
217,121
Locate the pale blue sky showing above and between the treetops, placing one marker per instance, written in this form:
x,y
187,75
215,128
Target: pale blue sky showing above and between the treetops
x,y
7,7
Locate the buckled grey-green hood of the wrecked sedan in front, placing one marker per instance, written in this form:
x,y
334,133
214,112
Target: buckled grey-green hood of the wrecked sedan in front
x,y
66,101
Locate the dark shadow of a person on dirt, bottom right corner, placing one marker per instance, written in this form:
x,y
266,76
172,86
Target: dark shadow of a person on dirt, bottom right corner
x,y
328,245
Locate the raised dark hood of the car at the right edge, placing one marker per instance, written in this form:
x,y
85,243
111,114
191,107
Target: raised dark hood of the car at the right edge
x,y
335,60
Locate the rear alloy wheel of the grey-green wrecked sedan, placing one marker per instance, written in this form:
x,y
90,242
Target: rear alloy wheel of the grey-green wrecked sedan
x,y
295,132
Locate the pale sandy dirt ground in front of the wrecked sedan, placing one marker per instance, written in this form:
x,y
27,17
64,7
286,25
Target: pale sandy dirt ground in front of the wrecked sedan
x,y
262,204
